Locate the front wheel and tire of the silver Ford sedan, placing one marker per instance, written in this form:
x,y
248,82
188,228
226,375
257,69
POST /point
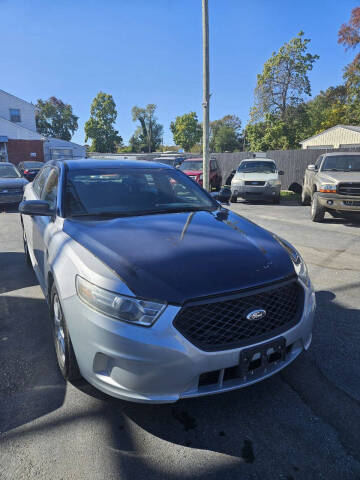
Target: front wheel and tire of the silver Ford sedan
x,y
63,347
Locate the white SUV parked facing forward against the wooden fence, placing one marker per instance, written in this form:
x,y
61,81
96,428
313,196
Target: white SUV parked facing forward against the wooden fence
x,y
256,179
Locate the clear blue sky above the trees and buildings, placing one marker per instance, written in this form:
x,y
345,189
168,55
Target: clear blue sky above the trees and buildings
x,y
150,51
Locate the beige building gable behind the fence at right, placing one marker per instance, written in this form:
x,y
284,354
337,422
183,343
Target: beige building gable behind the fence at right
x,y
340,136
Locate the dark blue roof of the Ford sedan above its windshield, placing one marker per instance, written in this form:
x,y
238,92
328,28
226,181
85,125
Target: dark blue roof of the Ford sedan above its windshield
x,y
88,163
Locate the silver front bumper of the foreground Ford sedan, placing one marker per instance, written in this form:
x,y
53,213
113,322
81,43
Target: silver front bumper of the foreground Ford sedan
x,y
157,364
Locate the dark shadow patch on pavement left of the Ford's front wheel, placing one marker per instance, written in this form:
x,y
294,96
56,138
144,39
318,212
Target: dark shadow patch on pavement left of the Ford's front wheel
x,y
31,385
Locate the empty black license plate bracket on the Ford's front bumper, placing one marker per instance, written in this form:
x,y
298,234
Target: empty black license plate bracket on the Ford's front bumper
x,y
257,360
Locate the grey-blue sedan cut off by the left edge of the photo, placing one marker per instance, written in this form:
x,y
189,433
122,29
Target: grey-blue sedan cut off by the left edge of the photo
x,y
11,184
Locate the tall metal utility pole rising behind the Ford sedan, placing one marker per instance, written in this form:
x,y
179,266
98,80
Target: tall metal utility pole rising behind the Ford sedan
x,y
206,95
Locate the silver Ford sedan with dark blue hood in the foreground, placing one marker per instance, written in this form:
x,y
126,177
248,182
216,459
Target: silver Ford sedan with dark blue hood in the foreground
x,y
157,292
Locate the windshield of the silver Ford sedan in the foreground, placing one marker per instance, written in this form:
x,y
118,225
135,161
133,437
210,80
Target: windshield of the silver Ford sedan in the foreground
x,y
138,191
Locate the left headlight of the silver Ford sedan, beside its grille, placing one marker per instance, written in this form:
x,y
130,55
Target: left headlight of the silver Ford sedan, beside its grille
x,y
128,309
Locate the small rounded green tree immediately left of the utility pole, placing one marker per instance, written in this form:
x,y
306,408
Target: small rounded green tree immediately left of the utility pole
x,y
186,130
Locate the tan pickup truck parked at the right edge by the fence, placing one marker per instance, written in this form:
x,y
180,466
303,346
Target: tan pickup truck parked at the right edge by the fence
x,y
332,185
